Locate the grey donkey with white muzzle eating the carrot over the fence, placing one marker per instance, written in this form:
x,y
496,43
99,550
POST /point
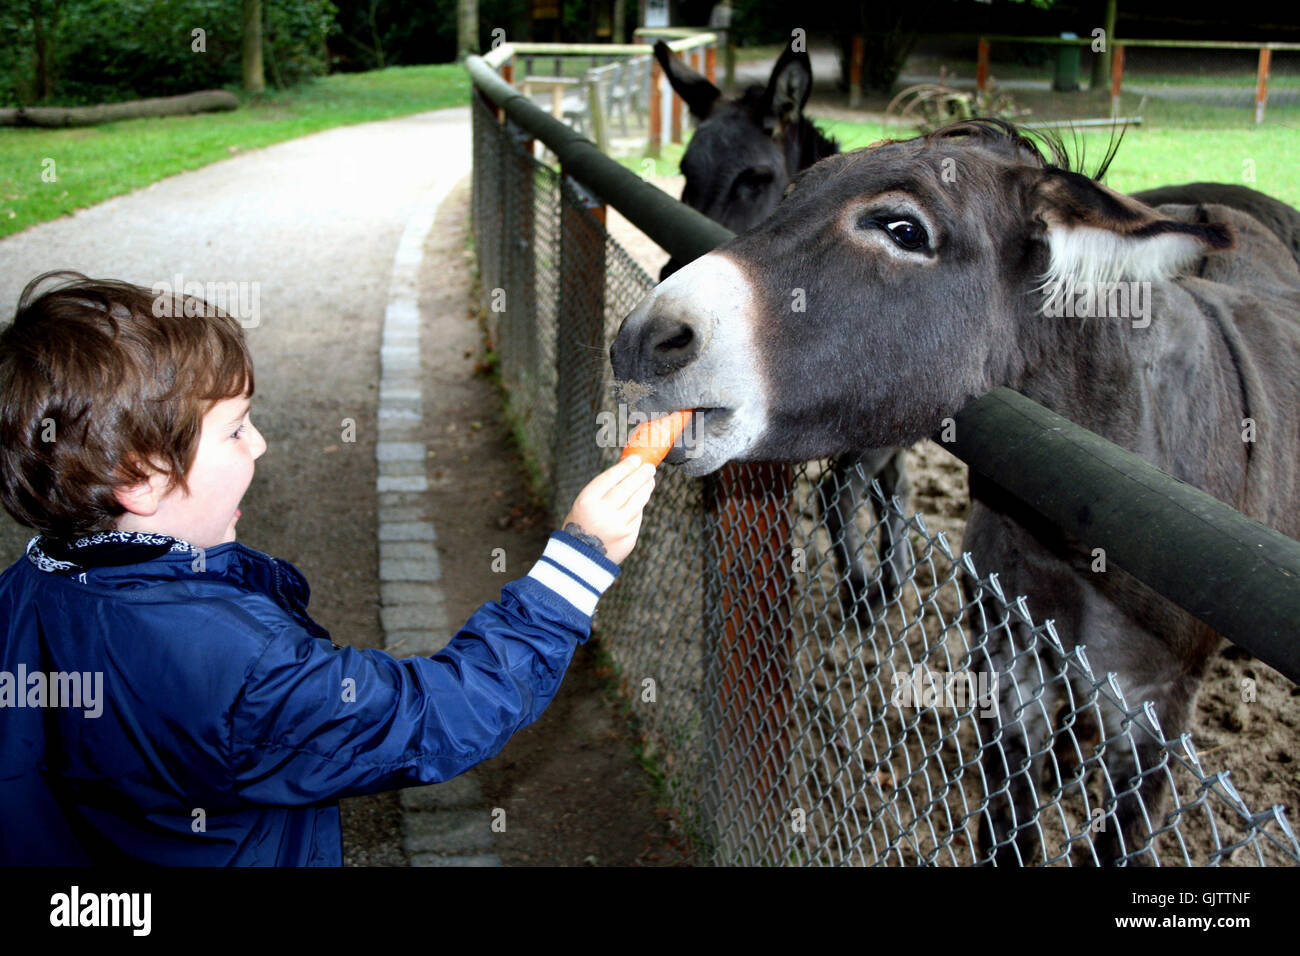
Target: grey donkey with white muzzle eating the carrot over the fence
x,y
937,259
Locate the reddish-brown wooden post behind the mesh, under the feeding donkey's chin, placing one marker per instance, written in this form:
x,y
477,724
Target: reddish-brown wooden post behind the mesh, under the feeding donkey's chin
x,y
748,659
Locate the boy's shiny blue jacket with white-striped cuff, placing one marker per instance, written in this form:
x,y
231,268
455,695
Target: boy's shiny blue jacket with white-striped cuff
x,y
228,724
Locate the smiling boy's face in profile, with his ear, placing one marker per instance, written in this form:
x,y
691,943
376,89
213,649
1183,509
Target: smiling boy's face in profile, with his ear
x,y
219,478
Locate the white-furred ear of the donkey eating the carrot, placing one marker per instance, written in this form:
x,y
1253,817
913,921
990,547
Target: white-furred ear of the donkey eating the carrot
x,y
1095,235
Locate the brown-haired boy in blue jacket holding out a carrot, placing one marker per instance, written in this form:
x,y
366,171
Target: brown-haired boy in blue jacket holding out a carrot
x,y
164,697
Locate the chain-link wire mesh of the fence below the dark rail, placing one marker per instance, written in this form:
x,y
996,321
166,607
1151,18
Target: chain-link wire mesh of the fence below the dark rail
x,y
796,720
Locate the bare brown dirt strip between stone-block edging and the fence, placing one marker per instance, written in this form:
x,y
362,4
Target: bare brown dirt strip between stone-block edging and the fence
x,y
571,786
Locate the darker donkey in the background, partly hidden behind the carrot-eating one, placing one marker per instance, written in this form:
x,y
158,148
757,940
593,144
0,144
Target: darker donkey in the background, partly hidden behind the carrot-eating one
x,y
739,163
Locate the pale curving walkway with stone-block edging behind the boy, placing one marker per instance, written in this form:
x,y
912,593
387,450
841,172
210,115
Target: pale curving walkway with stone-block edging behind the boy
x,y
330,230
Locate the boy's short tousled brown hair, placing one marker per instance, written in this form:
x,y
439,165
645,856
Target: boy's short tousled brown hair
x,y
96,386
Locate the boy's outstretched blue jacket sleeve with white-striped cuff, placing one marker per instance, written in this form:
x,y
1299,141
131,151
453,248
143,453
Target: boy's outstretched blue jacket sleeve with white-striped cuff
x,y
317,724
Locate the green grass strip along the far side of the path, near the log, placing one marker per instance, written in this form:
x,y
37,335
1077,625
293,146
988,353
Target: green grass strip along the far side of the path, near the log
x,y
97,163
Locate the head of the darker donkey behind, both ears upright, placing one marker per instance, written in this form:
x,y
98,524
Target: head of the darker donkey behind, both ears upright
x,y
746,152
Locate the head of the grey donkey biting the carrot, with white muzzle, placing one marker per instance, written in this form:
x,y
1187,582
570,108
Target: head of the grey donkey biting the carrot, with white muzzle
x,y
890,288
